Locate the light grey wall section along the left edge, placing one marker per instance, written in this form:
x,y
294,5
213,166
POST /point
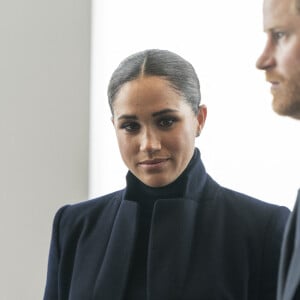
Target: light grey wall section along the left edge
x,y
44,124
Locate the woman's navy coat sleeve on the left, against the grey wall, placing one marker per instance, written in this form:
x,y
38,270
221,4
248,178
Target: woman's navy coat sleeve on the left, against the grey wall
x,y
51,289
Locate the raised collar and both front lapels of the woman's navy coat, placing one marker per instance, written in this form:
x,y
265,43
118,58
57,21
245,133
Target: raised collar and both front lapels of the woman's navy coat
x,y
170,241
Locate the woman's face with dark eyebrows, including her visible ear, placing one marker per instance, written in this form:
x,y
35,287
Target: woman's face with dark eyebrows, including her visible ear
x,y
156,129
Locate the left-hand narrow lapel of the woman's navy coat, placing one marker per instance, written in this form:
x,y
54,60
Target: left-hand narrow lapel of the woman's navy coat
x,y
112,278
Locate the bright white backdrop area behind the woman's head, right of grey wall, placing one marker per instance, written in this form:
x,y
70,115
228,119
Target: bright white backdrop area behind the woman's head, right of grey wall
x,y
244,145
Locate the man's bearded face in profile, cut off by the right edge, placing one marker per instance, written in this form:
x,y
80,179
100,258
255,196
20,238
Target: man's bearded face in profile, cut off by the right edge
x,y
281,56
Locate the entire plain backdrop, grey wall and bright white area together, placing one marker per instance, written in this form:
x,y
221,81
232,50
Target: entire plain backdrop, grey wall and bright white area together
x,y
58,147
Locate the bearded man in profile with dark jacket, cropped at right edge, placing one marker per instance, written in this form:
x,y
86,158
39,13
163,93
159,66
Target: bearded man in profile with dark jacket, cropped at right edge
x,y
281,62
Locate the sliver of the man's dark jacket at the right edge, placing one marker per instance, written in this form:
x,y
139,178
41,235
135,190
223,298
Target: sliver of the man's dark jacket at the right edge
x,y
289,271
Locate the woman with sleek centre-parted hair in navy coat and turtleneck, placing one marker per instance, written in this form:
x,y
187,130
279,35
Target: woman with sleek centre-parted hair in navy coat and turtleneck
x,y
173,232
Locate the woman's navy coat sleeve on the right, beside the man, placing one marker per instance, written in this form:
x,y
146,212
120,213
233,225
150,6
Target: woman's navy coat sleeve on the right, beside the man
x,y
271,253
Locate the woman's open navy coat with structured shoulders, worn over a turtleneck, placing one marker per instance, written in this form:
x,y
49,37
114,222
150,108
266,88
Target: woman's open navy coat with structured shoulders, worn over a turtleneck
x,y
211,244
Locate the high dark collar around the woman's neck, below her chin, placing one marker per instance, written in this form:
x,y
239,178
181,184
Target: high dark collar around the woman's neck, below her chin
x,y
188,185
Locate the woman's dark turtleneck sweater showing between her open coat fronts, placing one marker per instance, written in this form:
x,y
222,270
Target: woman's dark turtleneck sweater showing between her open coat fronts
x,y
146,197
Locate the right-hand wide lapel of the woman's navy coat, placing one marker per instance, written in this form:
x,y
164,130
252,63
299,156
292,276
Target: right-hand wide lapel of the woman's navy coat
x,y
171,238
